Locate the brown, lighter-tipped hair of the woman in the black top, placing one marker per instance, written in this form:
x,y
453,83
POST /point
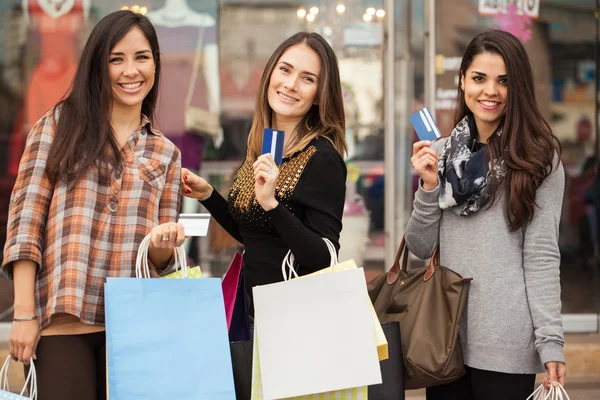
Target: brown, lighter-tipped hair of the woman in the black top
x,y
323,119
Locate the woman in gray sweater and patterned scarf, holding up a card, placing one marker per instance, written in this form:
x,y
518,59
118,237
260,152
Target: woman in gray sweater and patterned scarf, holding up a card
x,y
490,196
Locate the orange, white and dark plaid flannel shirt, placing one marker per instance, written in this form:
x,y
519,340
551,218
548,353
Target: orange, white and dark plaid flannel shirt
x,y
81,235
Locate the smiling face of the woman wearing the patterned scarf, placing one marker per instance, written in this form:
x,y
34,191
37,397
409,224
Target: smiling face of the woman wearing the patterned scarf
x,y
485,89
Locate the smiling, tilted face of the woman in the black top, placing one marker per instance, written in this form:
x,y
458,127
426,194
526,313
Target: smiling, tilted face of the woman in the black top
x,y
294,83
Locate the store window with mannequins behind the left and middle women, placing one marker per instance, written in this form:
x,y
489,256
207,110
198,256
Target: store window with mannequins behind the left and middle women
x,y
213,54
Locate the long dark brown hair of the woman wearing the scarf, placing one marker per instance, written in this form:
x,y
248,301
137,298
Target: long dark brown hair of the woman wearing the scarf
x,y
527,145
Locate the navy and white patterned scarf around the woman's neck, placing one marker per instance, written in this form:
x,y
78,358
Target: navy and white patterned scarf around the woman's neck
x,y
465,178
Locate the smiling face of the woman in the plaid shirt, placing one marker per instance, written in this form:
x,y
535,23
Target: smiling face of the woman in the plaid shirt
x,y
131,68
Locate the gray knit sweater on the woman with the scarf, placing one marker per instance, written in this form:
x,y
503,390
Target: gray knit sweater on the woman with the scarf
x,y
512,321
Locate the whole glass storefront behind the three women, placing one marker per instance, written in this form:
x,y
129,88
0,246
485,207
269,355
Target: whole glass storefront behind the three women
x,y
381,49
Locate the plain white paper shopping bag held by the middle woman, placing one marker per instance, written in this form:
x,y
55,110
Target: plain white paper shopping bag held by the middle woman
x,y
316,335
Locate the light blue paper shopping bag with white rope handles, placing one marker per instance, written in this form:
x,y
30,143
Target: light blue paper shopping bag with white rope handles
x,y
166,338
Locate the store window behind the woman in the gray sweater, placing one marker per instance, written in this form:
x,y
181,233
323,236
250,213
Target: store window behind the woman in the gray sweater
x,y
559,37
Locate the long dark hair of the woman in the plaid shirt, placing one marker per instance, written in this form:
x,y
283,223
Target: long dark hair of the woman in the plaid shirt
x,y
83,129
